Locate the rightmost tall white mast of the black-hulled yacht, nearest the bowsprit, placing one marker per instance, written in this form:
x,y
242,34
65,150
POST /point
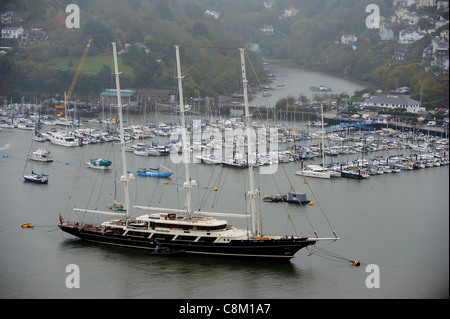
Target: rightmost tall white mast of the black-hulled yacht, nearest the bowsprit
x,y
256,223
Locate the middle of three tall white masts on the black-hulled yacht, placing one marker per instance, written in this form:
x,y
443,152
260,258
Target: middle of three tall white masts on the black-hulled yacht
x,y
187,184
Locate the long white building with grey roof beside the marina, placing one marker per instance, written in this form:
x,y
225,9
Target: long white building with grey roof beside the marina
x,y
394,102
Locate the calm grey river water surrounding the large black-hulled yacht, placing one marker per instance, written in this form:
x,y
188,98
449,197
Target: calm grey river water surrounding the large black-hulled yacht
x,y
396,225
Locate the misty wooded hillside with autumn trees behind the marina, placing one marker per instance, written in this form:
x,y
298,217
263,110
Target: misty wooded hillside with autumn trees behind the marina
x,y
209,66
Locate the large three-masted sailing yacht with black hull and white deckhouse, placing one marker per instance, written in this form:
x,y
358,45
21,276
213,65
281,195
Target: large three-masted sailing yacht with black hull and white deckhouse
x,y
195,232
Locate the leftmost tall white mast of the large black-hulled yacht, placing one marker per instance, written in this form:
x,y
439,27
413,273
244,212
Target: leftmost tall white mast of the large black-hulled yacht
x,y
125,178
